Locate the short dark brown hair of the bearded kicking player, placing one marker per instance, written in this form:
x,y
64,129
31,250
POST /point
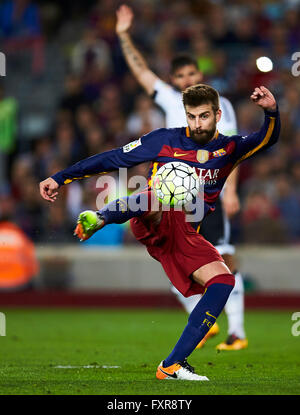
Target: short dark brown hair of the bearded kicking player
x,y
201,94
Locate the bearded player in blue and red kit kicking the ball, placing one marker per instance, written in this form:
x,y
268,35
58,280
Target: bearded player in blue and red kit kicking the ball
x,y
191,263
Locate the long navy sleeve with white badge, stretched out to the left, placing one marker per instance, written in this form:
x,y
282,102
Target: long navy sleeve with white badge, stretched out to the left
x,y
139,151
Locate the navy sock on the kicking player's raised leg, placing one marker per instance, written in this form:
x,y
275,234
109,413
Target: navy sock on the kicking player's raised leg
x,y
125,208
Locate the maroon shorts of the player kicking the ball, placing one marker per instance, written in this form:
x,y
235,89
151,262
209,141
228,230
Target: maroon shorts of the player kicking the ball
x,y
178,247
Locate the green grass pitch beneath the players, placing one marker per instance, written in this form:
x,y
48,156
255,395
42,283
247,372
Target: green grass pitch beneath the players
x,y
37,341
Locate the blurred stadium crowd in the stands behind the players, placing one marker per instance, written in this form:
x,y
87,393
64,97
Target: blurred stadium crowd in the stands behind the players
x,y
77,98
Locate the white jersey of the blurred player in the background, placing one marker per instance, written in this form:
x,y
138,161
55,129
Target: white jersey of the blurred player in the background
x,y
170,101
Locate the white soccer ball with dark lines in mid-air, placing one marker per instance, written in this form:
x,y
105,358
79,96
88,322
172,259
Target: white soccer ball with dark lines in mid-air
x,y
176,184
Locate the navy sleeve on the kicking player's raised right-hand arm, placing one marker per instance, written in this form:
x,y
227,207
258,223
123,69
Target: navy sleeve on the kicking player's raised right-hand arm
x,y
247,146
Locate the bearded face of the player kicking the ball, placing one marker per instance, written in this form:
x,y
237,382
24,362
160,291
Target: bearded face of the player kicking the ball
x,y
202,122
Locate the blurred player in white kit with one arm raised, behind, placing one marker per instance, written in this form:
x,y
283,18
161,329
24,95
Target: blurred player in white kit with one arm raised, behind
x,y
215,228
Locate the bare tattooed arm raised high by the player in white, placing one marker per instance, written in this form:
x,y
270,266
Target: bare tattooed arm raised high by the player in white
x,y
134,58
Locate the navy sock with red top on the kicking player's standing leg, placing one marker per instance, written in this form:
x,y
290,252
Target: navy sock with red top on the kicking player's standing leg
x,y
202,317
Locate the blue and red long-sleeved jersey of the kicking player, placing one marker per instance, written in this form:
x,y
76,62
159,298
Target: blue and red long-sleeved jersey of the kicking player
x,y
213,161
